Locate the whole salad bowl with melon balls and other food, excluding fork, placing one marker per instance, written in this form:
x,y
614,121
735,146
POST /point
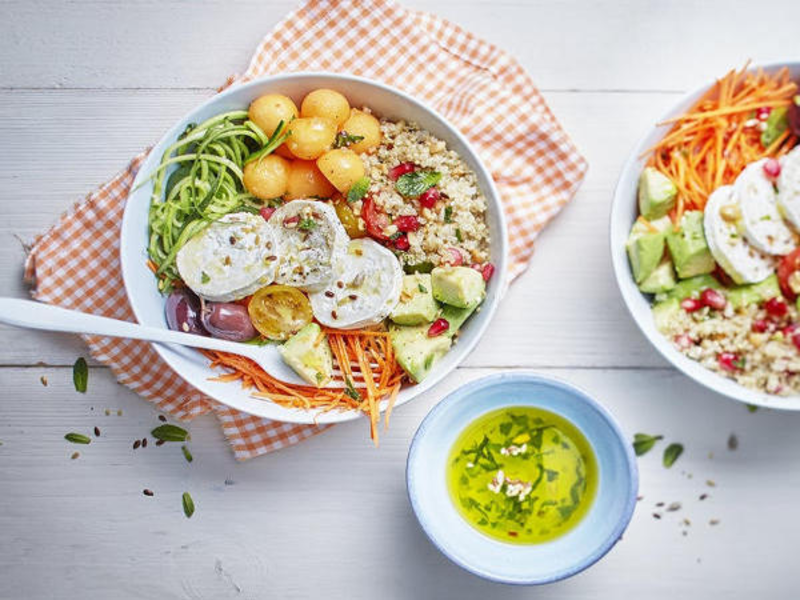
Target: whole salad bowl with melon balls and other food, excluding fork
x,y
339,225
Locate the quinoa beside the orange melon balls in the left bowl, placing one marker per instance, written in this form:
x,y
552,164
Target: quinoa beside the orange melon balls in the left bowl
x,y
457,221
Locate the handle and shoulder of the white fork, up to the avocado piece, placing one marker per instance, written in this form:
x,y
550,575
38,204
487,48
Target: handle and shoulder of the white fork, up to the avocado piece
x,y
36,315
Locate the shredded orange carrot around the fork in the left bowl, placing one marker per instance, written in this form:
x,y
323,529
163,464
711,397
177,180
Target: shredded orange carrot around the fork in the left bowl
x,y
366,374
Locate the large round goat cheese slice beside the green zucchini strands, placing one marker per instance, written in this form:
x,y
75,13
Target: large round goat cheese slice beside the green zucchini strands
x,y
230,259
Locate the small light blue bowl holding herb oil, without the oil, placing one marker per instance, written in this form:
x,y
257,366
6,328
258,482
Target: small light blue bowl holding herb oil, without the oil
x,y
529,564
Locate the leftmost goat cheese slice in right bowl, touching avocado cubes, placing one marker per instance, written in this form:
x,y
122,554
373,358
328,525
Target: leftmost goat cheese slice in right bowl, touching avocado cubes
x,y
737,257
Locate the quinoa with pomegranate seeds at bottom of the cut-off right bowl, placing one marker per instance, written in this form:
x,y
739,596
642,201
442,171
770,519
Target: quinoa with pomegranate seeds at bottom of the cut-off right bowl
x,y
768,362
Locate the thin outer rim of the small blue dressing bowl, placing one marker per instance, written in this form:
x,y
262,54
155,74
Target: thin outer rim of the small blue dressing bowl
x,y
459,394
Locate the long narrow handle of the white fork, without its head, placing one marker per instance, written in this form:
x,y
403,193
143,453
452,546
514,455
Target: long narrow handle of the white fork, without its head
x,y
36,315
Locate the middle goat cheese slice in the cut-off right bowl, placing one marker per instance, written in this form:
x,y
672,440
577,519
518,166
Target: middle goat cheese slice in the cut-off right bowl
x,y
763,225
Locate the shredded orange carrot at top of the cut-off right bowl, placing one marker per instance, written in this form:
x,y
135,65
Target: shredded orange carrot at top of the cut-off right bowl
x,y
709,145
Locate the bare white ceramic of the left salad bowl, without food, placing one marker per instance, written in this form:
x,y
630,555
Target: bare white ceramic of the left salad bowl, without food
x,y
148,303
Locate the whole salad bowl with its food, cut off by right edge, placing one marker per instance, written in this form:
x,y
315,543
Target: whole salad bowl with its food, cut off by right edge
x,y
705,235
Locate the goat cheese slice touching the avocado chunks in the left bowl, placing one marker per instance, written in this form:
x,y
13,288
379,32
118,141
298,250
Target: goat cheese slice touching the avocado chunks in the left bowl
x,y
364,291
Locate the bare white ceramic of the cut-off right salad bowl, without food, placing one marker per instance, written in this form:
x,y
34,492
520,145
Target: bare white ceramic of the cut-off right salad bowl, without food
x,y
623,213
